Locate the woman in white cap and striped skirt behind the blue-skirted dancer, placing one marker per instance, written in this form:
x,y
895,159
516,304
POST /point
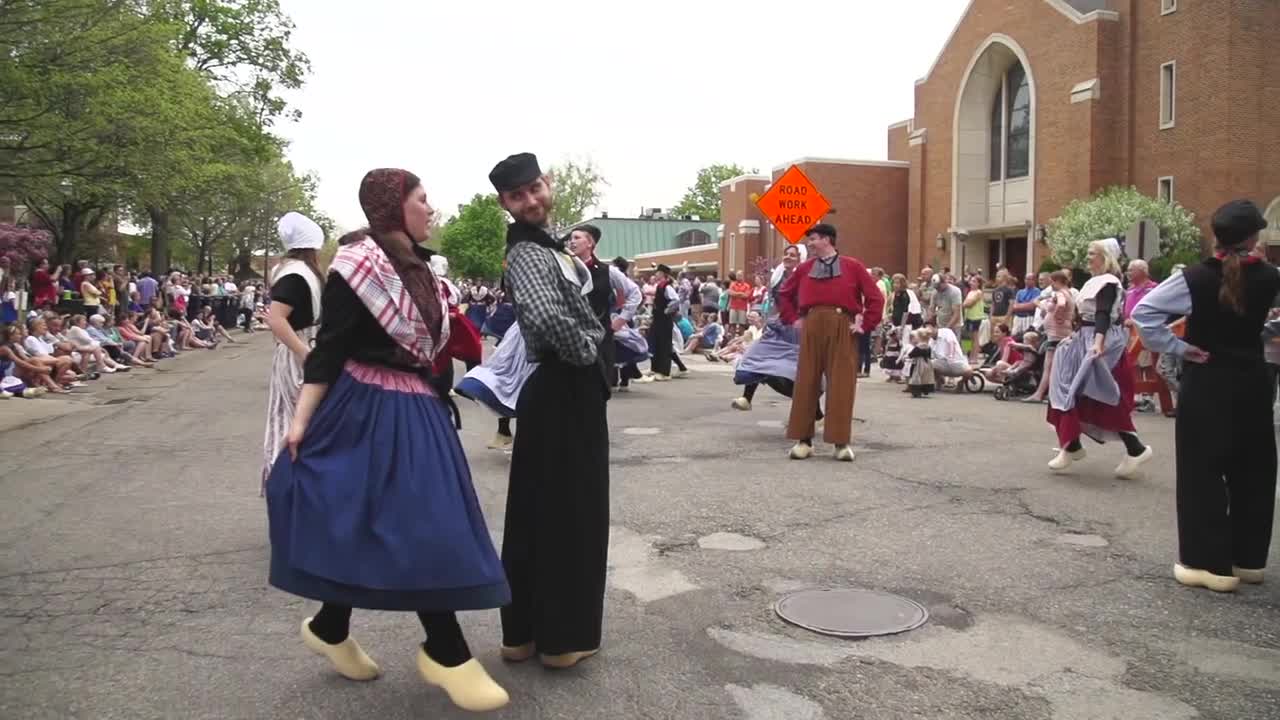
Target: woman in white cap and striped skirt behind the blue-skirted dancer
x,y
296,285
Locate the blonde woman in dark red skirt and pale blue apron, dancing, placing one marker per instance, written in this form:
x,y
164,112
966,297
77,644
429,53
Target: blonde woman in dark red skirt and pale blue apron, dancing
x,y
1092,391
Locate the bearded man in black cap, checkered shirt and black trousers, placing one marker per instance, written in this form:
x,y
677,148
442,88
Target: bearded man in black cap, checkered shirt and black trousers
x,y
556,539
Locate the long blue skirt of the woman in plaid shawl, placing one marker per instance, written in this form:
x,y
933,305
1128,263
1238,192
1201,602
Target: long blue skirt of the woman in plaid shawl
x,y
380,511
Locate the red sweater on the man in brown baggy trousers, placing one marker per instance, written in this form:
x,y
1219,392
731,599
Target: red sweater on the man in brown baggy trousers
x,y
854,290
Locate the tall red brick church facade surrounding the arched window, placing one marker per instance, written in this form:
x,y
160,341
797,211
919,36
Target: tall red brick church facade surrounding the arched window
x,y
1224,143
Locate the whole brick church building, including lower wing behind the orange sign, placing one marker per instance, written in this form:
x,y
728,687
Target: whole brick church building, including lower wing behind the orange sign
x,y
1035,103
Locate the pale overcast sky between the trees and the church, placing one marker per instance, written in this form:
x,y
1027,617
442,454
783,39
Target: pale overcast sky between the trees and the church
x,y
651,93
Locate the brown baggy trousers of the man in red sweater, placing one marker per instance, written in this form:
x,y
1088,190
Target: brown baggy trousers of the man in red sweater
x,y
828,348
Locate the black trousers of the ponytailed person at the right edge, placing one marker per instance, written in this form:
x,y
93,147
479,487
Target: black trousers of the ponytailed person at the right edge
x,y
1227,468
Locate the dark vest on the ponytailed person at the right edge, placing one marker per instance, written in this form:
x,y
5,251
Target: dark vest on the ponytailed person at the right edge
x,y
1229,338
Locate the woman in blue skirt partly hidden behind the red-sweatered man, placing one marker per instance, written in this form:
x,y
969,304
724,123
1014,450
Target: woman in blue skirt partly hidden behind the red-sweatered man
x,y
774,359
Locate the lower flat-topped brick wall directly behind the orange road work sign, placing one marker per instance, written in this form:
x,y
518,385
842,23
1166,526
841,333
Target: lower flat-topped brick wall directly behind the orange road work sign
x,y
871,208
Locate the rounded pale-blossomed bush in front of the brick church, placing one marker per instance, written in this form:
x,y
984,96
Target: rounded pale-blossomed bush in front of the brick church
x,y
1112,213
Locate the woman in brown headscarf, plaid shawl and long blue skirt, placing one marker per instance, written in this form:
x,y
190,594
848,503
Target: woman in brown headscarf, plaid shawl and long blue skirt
x,y
373,507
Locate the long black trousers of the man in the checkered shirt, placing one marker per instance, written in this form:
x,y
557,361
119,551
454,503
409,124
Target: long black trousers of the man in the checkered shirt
x,y
556,539
